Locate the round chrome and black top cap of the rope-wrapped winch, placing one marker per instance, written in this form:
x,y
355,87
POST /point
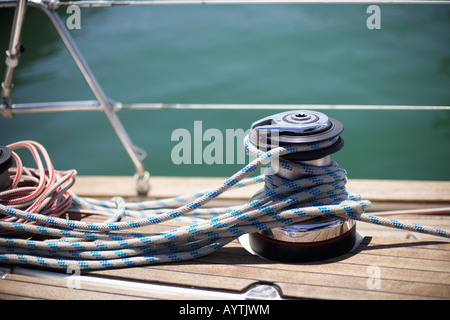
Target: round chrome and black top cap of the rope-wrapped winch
x,y
294,127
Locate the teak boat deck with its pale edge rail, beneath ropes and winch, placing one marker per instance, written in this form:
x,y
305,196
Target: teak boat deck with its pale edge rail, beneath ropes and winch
x,y
388,264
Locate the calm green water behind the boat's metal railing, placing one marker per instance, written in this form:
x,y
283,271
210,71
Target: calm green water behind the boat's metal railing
x,y
280,54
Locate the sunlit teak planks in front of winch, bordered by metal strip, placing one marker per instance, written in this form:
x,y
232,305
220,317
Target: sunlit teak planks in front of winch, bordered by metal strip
x,y
236,269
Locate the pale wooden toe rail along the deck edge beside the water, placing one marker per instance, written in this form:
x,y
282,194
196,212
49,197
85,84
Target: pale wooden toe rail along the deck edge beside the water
x,y
162,187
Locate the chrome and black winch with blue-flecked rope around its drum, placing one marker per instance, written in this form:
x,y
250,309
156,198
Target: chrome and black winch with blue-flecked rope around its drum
x,y
317,238
